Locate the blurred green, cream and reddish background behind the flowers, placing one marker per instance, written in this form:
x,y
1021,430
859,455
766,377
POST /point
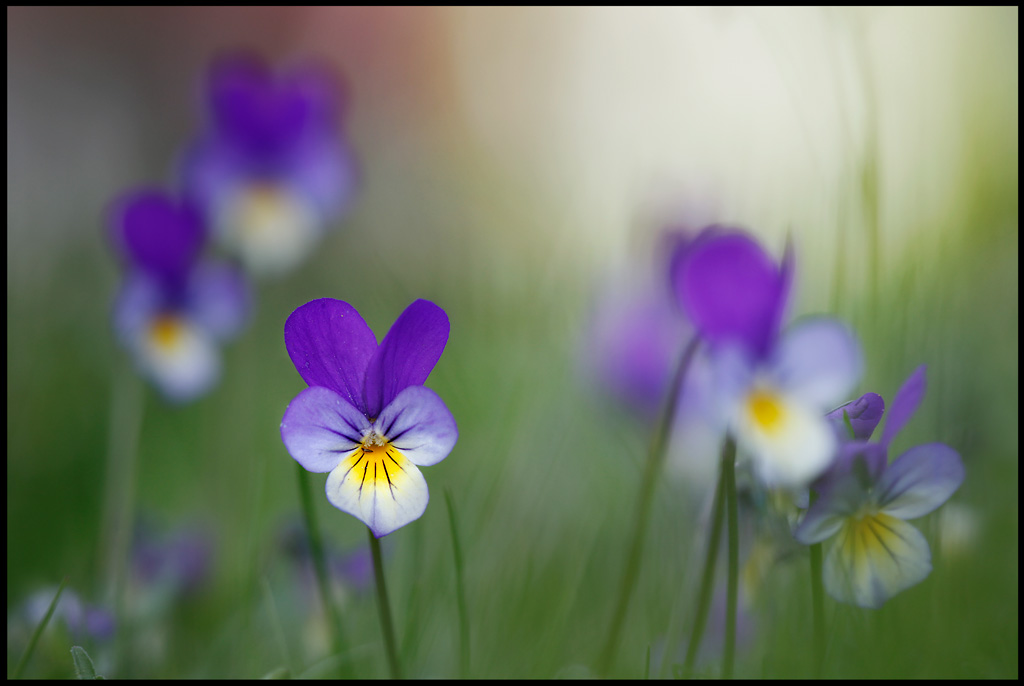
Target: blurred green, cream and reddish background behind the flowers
x,y
517,164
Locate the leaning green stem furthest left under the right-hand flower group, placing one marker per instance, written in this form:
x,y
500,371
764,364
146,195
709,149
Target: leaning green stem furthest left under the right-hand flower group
x,y
656,458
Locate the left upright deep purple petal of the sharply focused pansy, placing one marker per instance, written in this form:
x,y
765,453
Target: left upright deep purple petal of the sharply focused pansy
x,y
331,347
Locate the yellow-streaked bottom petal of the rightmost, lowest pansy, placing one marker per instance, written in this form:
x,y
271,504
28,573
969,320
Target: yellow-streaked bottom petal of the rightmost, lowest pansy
x,y
874,559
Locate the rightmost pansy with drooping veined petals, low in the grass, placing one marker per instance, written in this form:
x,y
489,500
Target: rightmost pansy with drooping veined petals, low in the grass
x,y
864,502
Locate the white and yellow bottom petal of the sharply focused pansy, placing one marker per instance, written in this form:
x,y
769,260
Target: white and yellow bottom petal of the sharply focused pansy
x,y
381,488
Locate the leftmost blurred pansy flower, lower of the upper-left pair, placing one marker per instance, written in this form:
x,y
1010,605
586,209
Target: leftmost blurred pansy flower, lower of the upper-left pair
x,y
173,309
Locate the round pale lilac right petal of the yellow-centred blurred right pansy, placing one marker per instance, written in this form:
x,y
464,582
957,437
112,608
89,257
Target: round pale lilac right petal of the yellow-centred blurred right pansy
x,y
818,360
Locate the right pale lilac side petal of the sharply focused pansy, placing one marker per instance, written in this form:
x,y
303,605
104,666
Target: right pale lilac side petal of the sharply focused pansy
x,y
419,424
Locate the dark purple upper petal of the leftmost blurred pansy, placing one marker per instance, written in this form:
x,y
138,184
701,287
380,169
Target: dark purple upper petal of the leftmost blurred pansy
x,y
157,235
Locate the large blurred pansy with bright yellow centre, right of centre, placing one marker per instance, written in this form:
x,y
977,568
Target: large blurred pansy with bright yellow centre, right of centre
x,y
773,389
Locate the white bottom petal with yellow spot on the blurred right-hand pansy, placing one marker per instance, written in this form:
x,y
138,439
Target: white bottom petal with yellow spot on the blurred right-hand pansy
x,y
791,443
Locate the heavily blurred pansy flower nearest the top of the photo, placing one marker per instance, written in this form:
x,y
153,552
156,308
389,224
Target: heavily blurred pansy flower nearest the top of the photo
x,y
272,171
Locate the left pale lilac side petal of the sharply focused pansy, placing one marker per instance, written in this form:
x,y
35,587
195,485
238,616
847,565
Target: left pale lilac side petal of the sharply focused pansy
x,y
321,428
